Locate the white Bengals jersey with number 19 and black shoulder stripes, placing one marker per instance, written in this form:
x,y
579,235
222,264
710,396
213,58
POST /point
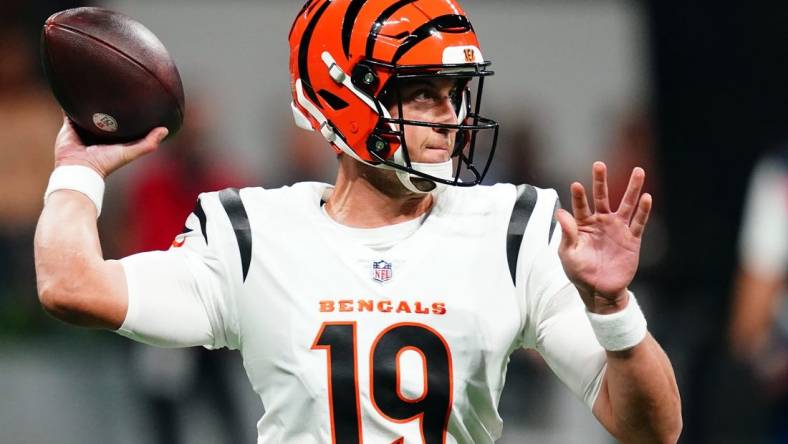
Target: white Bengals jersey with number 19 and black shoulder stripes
x,y
349,344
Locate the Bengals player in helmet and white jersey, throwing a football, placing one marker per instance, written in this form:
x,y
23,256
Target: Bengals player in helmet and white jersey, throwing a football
x,y
382,308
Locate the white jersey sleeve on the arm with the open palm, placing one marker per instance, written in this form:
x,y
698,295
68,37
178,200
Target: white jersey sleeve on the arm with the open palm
x,y
555,323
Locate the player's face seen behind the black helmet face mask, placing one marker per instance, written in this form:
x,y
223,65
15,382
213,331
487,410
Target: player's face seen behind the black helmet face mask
x,y
429,100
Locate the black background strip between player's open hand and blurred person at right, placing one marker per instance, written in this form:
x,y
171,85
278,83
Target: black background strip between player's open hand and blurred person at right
x,y
721,100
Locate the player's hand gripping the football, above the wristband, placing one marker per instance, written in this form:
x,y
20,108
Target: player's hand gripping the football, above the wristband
x,y
69,150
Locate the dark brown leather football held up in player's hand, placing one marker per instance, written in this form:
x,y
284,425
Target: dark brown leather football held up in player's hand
x,y
111,75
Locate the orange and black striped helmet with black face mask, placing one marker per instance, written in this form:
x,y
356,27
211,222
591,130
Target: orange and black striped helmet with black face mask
x,y
346,55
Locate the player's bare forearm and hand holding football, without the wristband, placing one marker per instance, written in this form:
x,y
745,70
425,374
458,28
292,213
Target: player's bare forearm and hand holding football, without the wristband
x,y
75,283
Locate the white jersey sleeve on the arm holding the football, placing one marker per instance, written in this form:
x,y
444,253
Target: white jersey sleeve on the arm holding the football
x,y
184,296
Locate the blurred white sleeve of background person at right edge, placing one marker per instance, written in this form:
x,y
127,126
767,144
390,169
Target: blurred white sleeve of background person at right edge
x,y
763,244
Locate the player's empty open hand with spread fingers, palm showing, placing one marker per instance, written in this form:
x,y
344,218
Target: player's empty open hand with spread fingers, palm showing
x,y
600,249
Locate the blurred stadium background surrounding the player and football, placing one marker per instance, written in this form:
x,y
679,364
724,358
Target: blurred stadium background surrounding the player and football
x,y
694,91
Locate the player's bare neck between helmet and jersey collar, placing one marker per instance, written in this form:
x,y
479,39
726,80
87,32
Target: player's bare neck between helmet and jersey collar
x,y
368,197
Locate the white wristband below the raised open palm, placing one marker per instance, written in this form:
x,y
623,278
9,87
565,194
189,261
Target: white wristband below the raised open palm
x,y
622,330
